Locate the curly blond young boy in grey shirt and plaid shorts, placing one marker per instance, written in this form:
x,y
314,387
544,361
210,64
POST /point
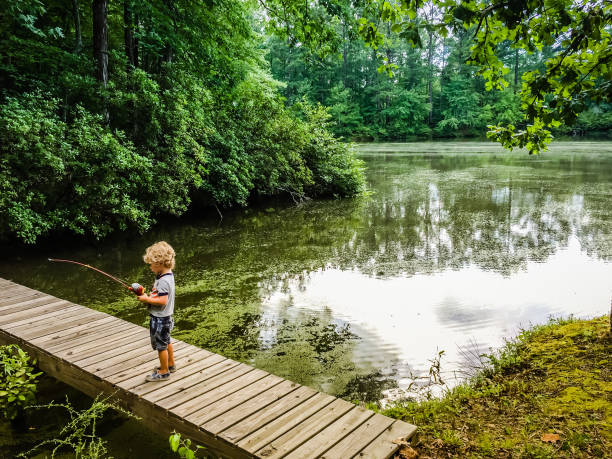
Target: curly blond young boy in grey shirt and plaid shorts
x,y
160,256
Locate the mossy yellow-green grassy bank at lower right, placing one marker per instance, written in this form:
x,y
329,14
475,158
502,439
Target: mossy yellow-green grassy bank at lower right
x,y
546,394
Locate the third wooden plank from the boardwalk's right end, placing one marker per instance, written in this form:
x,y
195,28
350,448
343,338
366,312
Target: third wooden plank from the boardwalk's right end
x,y
330,435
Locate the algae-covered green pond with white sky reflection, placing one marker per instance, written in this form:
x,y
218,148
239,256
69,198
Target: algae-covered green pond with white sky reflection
x,y
454,248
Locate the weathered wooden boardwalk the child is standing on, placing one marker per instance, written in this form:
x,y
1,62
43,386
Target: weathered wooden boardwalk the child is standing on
x,y
234,409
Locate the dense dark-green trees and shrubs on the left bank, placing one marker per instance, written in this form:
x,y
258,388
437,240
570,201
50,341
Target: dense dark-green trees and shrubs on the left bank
x,y
115,114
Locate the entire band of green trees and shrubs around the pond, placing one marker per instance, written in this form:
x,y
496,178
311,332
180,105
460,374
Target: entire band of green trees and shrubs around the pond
x,y
116,114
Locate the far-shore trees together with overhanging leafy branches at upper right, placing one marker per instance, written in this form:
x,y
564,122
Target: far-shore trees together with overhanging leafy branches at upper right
x,y
406,69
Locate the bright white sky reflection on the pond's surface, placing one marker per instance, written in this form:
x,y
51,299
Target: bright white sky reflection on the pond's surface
x,y
410,318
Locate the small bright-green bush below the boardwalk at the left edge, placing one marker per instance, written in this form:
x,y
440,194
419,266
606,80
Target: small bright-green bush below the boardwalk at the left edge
x,y
18,381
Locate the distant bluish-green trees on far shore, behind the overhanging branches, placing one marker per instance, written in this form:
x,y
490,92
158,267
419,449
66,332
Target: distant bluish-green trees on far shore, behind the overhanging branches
x,y
433,92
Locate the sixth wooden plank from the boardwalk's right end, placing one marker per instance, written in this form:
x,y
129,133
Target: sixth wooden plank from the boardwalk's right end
x,y
250,424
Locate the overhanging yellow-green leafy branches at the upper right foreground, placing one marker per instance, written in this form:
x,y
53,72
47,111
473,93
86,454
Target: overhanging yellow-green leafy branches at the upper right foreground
x,y
578,72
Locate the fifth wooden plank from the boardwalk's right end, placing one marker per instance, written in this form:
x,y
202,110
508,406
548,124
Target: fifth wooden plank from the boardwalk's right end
x,y
287,421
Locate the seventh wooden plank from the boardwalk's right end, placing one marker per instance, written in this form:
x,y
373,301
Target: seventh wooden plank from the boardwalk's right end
x,y
249,407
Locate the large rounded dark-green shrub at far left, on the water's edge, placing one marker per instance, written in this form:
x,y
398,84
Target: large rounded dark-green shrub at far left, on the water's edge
x,y
78,177
